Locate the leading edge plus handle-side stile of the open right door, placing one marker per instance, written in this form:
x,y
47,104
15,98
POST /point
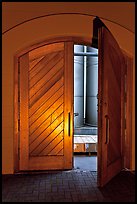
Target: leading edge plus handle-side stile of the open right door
x,y
103,110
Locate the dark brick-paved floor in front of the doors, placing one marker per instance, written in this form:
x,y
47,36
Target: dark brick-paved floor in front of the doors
x,y
67,186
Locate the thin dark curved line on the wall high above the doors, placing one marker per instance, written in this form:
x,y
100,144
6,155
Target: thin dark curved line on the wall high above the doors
x,y
70,13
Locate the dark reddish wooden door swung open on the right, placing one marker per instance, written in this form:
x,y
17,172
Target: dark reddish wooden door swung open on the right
x,y
111,107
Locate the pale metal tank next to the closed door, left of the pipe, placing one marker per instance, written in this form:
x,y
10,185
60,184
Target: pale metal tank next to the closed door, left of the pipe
x,y
78,87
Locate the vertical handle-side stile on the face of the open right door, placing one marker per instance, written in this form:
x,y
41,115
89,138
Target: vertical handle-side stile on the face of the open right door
x,y
104,112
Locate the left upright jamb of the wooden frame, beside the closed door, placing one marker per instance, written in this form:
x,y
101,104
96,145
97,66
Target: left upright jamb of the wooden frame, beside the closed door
x,y
15,141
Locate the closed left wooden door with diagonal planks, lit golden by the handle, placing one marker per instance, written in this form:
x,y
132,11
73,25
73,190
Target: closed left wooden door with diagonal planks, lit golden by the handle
x,y
46,107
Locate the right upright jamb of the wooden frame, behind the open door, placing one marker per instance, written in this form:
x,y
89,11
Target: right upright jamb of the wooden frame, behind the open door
x,y
129,108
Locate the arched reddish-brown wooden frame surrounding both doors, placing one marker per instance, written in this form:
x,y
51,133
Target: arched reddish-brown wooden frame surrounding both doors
x,y
75,40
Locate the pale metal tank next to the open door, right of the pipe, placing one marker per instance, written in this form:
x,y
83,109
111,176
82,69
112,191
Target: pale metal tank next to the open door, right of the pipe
x,y
91,88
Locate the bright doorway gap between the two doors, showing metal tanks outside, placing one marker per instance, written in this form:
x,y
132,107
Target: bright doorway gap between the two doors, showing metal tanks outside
x,y
85,107
